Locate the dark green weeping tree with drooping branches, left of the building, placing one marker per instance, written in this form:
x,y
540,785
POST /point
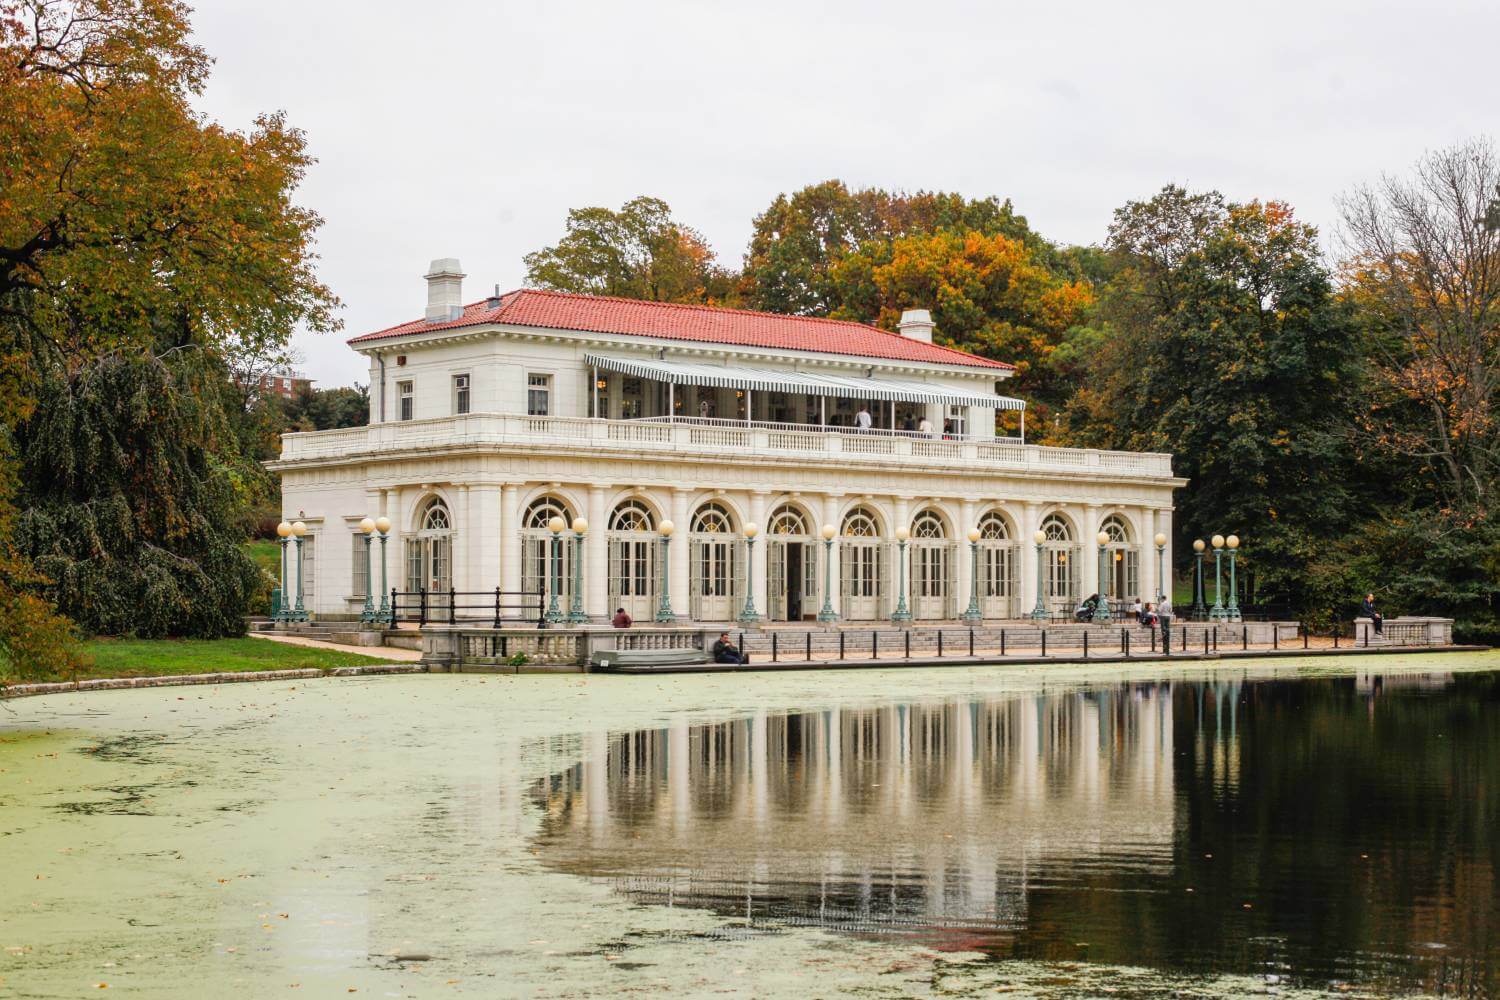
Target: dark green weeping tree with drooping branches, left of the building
x,y
131,509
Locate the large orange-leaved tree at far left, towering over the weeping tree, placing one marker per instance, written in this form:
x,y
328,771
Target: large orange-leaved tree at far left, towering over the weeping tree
x,y
127,221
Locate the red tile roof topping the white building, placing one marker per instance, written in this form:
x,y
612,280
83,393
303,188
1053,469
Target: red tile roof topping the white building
x,y
706,325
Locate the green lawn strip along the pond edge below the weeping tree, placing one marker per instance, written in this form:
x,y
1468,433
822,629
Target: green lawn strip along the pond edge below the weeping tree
x,y
163,657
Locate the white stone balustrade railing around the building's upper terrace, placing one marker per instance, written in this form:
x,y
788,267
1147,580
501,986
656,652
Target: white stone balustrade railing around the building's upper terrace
x,y
710,437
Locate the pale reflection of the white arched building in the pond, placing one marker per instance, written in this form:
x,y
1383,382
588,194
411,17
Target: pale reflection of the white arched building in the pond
x,y
938,821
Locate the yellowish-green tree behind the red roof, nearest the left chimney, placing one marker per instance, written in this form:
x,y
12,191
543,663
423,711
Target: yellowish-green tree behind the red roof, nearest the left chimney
x,y
638,253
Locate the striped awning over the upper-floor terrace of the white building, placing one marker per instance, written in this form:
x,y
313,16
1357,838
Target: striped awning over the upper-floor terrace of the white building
x,y
790,382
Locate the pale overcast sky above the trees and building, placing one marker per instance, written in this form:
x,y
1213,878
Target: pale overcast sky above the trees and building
x,y
470,128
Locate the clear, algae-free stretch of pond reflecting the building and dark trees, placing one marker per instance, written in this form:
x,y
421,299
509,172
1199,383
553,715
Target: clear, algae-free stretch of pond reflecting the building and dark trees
x,y
1324,831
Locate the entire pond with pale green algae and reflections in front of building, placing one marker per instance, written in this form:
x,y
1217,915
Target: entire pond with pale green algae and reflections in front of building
x,y
1288,828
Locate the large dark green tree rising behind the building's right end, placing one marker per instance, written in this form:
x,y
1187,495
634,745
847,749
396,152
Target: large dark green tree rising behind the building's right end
x,y
1223,343
